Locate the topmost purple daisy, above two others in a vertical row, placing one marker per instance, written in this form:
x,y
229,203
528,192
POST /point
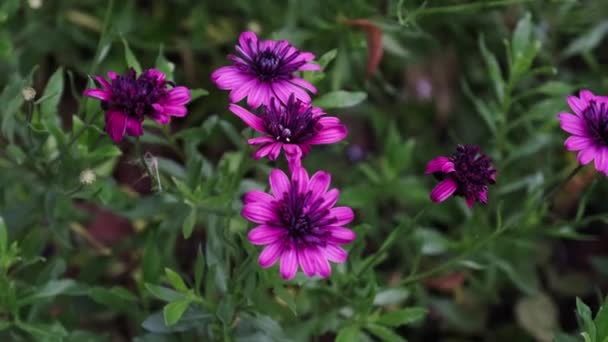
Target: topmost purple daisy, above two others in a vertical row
x,y
263,69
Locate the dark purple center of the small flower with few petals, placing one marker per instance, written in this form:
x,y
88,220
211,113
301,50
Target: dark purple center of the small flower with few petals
x,y
474,171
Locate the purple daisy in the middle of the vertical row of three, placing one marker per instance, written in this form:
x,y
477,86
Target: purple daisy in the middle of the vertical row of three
x,y
292,127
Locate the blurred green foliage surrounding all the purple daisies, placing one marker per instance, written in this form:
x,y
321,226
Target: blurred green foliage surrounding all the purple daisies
x,y
410,79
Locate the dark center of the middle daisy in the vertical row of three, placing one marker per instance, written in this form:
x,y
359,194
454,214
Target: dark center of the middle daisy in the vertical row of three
x,y
293,123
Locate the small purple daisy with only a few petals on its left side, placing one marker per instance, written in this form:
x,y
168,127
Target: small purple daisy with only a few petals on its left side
x,y
466,173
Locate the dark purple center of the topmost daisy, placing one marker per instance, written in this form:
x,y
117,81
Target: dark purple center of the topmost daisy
x,y
275,62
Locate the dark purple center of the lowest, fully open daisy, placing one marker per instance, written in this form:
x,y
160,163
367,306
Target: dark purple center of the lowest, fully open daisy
x,y
303,220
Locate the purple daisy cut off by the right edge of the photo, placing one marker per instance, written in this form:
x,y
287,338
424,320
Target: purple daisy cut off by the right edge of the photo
x,y
589,128
